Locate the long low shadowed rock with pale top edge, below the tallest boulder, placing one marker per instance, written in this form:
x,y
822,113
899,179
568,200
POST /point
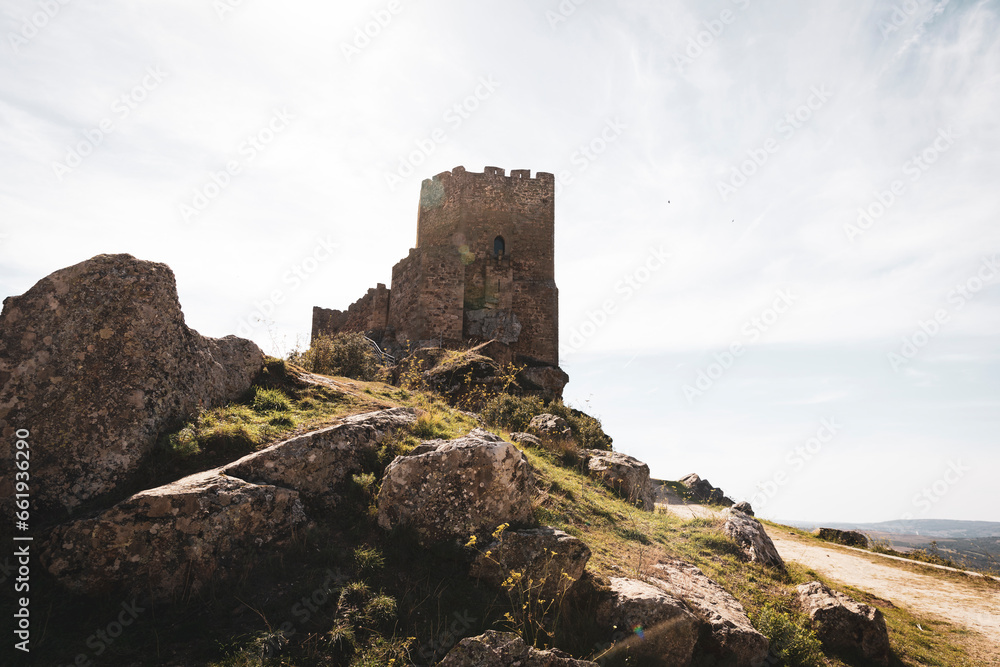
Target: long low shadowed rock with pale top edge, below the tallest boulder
x,y
173,539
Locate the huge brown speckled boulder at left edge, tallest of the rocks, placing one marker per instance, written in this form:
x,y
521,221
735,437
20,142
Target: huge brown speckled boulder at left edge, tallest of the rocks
x,y
95,361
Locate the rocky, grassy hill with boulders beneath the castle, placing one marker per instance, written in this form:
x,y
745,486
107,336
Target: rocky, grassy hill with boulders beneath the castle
x,y
197,503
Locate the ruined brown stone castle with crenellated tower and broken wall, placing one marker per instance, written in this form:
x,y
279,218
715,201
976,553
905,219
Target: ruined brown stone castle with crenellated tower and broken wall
x,y
483,269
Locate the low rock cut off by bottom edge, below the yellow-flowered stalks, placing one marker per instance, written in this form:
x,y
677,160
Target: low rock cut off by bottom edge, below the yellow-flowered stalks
x,y
506,649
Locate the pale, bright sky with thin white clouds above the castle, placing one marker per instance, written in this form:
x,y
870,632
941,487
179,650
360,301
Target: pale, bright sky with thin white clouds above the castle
x,y
804,183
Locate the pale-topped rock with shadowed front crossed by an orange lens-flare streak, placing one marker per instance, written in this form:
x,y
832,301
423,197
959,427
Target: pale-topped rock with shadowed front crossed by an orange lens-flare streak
x,y
659,628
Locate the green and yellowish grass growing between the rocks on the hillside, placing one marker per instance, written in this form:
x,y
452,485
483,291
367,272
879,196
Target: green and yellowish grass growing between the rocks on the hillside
x,y
280,608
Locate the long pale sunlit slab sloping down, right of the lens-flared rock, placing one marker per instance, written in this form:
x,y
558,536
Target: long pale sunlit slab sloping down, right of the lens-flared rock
x,y
730,640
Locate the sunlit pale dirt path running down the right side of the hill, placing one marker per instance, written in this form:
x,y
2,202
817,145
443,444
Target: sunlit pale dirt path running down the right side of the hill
x,y
966,604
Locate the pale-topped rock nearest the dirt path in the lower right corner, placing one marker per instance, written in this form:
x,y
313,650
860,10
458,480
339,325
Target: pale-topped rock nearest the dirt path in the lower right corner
x,y
845,625
